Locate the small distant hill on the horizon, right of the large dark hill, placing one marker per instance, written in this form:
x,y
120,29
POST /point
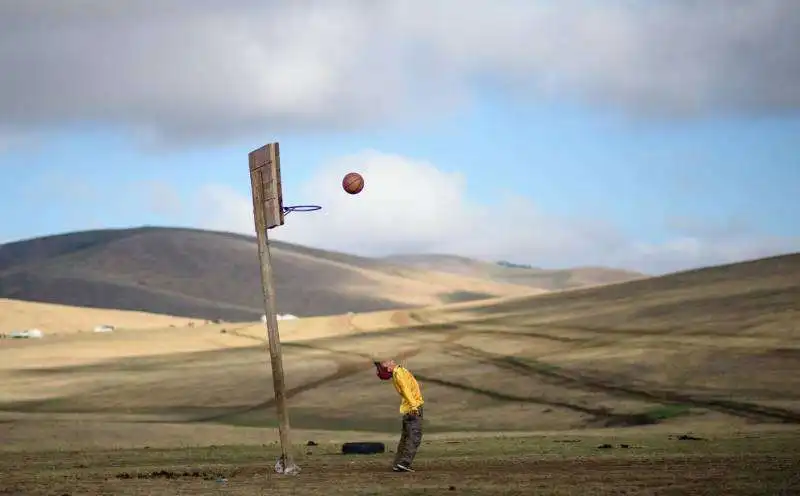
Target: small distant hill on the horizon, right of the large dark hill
x,y
506,272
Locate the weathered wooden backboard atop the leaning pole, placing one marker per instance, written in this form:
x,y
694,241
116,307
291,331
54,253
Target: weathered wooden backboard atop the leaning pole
x,y
265,179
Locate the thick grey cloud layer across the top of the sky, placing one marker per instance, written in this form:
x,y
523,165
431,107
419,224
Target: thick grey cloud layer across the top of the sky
x,y
186,70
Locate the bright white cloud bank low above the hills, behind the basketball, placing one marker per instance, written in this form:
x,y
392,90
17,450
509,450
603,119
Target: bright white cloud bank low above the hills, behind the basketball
x,y
411,206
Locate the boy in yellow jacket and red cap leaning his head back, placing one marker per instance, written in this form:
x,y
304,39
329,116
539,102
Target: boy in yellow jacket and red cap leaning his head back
x,y
411,409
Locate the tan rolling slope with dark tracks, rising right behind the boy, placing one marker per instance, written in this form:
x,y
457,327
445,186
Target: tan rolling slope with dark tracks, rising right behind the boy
x,y
712,350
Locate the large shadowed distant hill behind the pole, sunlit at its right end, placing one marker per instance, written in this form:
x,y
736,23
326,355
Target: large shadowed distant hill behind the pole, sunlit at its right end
x,y
203,274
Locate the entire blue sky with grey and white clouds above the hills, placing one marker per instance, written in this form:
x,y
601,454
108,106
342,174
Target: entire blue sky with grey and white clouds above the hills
x,y
653,136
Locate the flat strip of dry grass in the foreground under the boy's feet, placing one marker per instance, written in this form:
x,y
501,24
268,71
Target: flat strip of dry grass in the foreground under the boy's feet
x,y
633,464
